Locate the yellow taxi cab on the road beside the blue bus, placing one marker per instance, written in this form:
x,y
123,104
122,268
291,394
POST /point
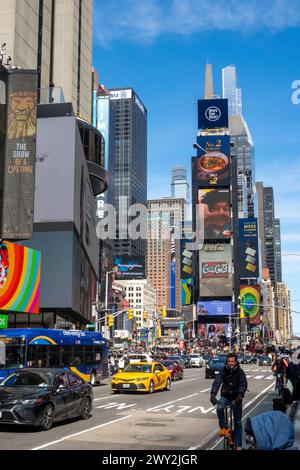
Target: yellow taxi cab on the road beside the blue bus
x,y
142,377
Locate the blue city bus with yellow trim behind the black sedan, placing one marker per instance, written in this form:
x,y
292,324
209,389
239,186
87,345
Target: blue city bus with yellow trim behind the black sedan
x,y
83,352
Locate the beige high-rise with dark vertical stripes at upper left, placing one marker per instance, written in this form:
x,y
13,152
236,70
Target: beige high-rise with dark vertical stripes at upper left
x,y
55,37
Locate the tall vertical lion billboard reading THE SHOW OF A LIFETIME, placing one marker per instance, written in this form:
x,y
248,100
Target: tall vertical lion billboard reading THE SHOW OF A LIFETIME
x,y
19,147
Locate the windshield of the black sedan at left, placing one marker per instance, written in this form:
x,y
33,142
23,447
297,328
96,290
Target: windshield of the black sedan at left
x,y
28,379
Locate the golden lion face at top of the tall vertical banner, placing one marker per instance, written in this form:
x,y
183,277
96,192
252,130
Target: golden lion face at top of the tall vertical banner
x,y
22,114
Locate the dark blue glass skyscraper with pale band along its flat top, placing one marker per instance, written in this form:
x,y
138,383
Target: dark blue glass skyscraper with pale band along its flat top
x,y
129,158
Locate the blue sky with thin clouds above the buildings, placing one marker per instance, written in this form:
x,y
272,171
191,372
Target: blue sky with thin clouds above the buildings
x,y
161,47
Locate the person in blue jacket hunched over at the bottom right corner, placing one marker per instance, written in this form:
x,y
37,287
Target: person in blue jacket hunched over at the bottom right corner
x,y
270,431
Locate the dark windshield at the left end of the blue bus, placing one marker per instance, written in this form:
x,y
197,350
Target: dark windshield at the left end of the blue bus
x,y
12,353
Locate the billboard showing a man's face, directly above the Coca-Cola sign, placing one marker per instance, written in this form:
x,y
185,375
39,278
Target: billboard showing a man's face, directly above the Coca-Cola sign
x,y
214,213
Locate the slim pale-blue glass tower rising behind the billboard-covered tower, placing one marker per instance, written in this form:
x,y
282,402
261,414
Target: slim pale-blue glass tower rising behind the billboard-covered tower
x,y
231,91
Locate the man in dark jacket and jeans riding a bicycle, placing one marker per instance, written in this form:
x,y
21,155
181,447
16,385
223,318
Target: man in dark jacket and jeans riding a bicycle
x,y
233,383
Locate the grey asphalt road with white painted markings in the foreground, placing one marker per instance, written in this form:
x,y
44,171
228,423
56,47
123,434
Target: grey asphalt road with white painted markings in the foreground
x,y
180,419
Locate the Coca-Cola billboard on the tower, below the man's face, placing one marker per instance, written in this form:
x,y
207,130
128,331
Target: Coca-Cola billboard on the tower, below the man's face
x,y
215,270
